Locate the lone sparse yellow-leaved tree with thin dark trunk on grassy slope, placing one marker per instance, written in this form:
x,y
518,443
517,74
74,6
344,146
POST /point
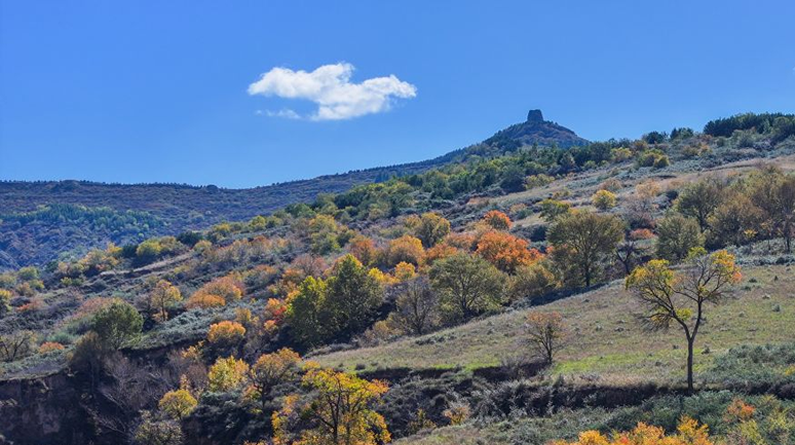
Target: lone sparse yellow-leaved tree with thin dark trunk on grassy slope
x,y
680,297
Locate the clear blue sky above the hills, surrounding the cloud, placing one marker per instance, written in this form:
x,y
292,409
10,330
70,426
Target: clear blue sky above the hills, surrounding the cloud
x,y
145,91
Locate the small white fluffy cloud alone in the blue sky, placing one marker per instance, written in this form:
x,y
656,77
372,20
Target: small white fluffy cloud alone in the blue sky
x,y
329,87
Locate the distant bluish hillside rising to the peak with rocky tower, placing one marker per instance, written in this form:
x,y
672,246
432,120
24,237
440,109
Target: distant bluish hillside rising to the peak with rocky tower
x,y
84,215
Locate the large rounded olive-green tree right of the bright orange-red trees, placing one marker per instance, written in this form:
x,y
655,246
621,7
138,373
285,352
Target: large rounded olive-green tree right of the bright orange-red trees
x,y
584,243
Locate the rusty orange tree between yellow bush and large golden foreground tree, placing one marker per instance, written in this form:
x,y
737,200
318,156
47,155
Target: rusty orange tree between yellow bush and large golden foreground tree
x,y
270,370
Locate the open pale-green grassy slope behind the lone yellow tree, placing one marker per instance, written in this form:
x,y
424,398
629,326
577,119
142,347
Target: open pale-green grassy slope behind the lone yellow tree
x,y
607,343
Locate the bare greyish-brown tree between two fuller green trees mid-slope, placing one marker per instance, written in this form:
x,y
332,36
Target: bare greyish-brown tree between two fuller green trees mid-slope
x,y
416,310
